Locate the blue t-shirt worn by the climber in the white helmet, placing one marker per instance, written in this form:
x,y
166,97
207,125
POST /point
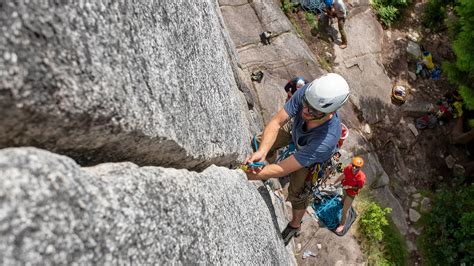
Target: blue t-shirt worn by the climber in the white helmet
x,y
315,145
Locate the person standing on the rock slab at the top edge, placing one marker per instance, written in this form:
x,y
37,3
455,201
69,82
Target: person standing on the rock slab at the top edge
x,y
336,9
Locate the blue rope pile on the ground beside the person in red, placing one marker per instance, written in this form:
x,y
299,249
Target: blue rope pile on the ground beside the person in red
x,y
329,211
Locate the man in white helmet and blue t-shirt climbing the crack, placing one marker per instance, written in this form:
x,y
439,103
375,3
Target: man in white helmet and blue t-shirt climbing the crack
x,y
315,131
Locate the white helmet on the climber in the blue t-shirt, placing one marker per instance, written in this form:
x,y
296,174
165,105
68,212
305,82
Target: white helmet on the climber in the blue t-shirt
x,y
327,93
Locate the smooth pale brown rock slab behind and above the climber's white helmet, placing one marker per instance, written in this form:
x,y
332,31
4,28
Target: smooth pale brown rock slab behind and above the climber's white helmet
x,y
285,58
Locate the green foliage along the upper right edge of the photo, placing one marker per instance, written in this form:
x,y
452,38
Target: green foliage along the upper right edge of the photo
x,y
461,72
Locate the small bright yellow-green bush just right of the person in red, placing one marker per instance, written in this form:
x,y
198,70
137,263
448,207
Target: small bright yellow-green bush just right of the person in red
x,y
372,222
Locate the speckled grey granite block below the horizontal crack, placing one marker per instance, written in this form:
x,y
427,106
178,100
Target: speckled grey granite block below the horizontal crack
x,y
54,212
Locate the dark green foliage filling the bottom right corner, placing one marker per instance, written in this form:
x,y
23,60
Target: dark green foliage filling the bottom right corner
x,y
448,237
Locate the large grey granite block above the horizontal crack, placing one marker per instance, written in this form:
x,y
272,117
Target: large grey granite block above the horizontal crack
x,y
147,82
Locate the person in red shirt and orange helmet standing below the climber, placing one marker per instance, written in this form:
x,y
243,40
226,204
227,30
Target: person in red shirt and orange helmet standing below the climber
x,y
352,180
